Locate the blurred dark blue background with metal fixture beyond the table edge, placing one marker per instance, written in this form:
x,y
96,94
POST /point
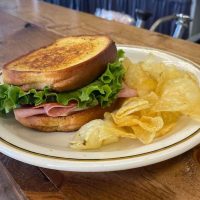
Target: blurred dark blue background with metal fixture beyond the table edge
x,y
177,18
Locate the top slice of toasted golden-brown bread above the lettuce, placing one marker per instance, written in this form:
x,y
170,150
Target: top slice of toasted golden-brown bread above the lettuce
x,y
67,64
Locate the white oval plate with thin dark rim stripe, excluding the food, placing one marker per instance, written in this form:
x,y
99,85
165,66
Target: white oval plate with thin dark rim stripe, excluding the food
x,y
47,149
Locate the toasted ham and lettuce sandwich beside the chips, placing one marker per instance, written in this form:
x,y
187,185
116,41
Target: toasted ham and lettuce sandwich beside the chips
x,y
64,85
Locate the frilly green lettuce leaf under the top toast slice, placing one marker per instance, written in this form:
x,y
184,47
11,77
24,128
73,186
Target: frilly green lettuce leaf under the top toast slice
x,y
103,91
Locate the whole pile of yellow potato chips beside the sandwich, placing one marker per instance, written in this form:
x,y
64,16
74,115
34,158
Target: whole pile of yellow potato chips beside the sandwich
x,y
165,93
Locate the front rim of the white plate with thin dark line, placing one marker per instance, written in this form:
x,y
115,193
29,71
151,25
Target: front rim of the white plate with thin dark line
x,y
113,164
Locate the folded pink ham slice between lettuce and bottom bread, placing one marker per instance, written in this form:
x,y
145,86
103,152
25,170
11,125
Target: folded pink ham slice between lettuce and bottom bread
x,y
50,109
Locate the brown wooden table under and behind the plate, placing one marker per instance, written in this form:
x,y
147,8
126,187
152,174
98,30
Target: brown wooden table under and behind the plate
x,y
28,24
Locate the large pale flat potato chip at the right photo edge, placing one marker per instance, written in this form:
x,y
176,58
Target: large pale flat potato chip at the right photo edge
x,y
181,94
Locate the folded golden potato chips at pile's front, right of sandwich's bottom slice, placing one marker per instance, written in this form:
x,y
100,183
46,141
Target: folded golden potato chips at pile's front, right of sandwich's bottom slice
x,y
131,115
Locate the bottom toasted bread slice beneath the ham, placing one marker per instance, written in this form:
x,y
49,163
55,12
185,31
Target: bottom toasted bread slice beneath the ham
x,y
70,123
